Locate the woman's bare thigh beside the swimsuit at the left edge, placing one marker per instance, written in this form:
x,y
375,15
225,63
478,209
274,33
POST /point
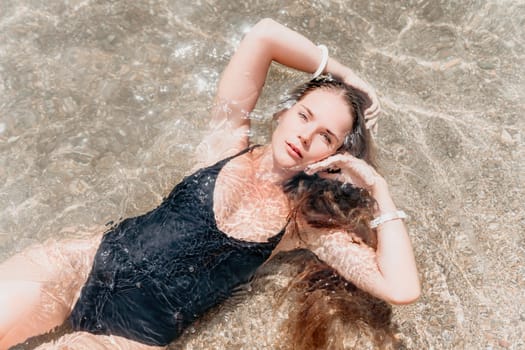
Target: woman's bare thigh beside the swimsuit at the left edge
x,y
39,286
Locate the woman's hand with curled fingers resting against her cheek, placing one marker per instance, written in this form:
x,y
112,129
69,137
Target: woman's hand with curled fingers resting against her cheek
x,y
352,170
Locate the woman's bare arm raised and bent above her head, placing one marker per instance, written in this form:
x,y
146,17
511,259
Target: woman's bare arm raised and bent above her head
x,y
243,79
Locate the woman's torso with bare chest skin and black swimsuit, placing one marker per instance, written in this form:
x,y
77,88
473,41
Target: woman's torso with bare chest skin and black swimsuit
x,y
161,270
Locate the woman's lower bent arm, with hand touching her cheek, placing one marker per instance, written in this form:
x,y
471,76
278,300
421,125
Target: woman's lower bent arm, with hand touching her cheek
x,y
390,272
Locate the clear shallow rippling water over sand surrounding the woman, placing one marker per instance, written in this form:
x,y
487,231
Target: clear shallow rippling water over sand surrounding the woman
x,y
103,102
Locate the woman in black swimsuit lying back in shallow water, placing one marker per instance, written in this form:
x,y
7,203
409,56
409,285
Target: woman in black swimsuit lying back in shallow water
x,y
146,279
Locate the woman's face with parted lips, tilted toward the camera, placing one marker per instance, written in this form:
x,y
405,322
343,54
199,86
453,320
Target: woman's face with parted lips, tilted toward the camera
x,y
313,129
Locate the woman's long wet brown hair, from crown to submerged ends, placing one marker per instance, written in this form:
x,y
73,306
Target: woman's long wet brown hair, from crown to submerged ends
x,y
327,308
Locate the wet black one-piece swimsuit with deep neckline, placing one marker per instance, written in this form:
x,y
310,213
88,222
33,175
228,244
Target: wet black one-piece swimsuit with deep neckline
x,y
156,273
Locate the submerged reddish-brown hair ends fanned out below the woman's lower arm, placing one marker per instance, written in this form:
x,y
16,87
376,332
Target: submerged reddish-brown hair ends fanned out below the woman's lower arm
x,y
329,312
